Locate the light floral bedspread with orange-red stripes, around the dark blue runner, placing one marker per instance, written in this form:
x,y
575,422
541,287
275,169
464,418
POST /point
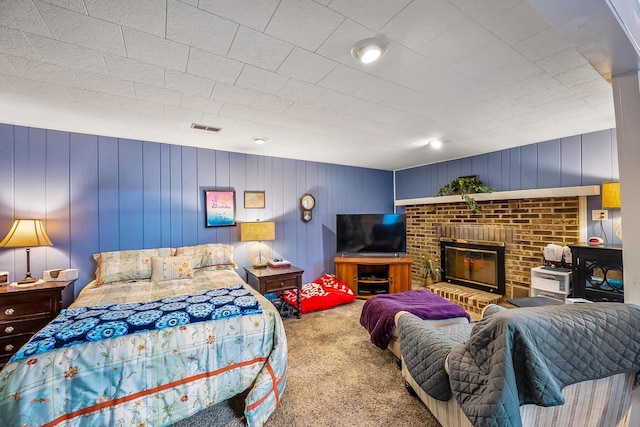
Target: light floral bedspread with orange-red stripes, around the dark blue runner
x,y
153,378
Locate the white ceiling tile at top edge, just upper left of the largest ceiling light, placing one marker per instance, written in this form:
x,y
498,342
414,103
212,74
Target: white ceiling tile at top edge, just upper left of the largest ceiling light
x,y
303,23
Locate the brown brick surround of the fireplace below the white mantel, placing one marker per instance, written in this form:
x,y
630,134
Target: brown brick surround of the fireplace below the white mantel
x,y
524,225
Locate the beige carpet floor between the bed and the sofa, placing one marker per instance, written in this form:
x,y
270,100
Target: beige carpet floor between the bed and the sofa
x,y
336,378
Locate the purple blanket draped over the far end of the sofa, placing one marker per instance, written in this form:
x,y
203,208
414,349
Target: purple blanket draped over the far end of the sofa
x,y
378,313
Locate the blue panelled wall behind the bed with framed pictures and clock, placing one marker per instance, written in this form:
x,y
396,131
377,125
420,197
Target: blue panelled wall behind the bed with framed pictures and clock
x,y
104,194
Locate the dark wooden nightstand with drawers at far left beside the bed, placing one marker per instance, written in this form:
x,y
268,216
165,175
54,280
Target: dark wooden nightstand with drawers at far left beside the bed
x,y
24,311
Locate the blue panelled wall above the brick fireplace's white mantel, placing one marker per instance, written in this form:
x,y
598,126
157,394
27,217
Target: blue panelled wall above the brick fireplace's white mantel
x,y
588,159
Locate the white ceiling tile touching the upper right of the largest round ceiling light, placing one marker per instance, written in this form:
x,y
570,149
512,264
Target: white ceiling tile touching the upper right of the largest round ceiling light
x,y
422,21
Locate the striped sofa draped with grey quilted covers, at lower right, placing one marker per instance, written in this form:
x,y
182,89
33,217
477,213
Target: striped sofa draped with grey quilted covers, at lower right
x,y
562,365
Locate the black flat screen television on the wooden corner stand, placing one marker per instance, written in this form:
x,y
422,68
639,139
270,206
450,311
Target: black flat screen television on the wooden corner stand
x,y
371,234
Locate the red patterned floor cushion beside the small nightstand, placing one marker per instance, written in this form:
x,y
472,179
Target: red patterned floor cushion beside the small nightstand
x,y
324,292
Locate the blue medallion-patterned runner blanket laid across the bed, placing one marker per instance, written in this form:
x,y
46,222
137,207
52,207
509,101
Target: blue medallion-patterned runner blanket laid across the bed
x,y
76,326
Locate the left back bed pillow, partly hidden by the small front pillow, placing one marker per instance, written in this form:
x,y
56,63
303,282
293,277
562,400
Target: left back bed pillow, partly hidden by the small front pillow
x,y
122,266
